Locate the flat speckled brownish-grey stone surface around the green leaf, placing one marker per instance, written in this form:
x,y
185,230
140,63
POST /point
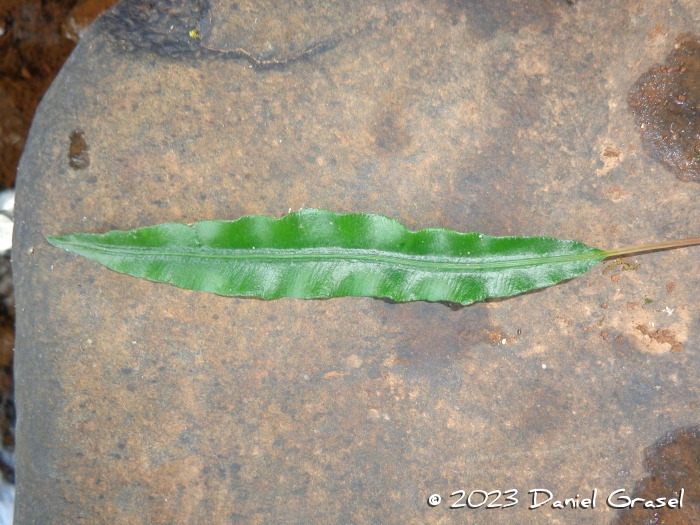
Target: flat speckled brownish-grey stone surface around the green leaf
x,y
140,403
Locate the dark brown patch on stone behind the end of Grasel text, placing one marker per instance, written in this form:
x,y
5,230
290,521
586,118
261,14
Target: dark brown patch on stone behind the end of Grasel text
x,y
673,463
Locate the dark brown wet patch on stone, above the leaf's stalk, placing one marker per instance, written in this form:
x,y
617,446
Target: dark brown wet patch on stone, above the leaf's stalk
x,y
666,106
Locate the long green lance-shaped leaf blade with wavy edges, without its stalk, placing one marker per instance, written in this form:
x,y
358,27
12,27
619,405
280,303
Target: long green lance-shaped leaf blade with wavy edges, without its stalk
x,y
319,254
